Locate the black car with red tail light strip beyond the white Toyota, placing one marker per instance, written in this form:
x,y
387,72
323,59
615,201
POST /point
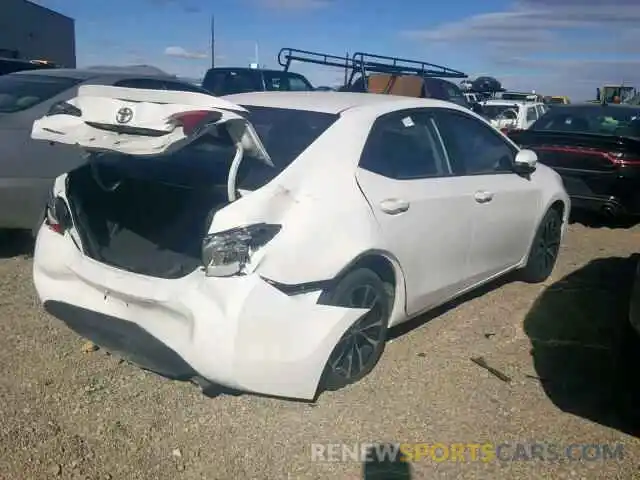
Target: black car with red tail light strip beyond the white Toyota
x,y
596,150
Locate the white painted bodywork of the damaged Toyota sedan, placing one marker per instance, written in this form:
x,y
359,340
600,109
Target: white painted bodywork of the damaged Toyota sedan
x,y
244,333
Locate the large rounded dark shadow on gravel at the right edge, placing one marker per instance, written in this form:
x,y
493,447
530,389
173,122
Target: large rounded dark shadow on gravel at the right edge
x,y
585,354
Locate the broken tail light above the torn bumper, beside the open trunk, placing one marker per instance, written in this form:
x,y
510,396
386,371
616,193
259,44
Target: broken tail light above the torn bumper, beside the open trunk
x,y
227,253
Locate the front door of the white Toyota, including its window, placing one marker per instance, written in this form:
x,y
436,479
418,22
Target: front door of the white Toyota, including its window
x,y
505,205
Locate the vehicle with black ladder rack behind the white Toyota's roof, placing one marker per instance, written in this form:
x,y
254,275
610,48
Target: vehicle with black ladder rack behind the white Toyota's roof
x,y
367,72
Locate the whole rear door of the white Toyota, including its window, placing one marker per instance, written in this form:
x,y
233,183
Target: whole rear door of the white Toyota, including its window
x,y
425,218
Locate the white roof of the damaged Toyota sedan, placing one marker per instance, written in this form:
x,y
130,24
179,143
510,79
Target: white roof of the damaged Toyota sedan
x,y
333,102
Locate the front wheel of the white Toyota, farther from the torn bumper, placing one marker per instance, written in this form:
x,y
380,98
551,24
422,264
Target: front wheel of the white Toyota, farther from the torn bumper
x,y
544,249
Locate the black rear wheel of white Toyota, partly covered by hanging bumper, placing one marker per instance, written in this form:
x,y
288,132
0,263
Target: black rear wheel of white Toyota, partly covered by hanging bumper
x,y
367,335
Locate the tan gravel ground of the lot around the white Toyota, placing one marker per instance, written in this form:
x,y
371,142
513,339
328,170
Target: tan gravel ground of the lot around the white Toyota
x,y
67,413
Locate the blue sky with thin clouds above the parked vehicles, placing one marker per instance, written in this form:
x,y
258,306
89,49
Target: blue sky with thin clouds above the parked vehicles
x,y
555,46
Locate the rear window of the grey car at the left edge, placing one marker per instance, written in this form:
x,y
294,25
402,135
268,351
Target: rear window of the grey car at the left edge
x,y
20,92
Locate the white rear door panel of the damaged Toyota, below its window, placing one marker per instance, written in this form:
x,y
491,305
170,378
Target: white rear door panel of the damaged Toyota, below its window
x,y
429,218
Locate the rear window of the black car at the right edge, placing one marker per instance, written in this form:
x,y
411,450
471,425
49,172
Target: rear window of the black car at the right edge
x,y
608,120
